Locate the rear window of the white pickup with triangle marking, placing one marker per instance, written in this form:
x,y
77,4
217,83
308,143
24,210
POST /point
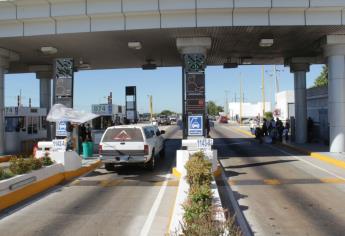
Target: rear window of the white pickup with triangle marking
x,y
123,135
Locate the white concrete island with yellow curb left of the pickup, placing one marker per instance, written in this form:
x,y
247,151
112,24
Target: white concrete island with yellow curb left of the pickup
x,y
22,187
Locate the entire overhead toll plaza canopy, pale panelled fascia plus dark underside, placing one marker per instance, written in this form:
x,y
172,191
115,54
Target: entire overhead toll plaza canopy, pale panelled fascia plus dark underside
x,y
97,31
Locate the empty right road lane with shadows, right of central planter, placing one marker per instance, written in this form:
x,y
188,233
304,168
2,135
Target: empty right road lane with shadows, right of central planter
x,y
278,192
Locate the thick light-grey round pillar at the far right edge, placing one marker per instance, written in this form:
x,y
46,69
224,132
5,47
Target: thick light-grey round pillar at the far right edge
x,y
335,54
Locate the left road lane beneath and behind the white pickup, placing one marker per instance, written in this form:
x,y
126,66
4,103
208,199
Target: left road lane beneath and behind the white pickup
x,y
130,201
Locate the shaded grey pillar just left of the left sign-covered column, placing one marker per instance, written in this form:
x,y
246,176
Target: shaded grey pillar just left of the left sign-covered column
x,y
45,95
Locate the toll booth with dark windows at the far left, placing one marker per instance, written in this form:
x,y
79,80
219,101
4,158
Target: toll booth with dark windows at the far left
x,y
24,126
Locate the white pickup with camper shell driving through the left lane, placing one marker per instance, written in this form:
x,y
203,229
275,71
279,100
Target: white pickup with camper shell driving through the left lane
x,y
131,144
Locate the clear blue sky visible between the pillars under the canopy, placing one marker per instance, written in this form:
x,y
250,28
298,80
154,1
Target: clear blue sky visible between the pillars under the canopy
x,y
164,84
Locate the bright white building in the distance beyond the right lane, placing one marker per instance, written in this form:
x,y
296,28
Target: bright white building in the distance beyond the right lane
x,y
249,110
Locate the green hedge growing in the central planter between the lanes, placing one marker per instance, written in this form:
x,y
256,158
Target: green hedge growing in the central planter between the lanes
x,y
198,216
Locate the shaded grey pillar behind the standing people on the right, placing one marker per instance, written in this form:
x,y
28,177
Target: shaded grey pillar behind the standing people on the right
x,y
300,85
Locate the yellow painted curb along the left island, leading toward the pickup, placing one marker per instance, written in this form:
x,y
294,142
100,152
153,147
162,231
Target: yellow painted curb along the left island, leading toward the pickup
x,y
35,188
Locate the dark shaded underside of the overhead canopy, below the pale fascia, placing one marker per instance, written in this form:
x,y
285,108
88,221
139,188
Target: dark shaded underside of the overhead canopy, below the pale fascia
x,y
104,50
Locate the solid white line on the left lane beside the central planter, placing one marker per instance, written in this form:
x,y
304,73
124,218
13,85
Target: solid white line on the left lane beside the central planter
x,y
149,220
